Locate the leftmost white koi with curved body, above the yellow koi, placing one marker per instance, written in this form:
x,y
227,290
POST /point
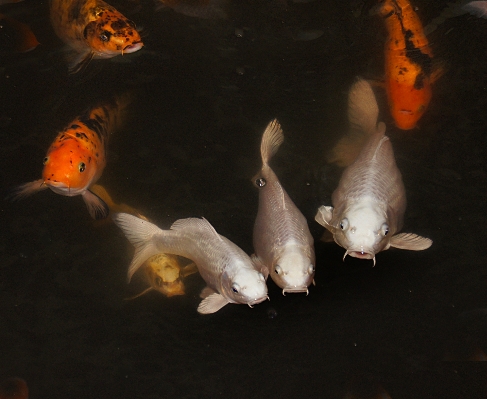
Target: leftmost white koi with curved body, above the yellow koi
x,y
230,274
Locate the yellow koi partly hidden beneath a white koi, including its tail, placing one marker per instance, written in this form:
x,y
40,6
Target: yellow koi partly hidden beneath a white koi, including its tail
x,y
163,272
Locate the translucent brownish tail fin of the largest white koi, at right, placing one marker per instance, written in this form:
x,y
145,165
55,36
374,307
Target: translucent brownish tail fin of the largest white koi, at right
x,y
363,112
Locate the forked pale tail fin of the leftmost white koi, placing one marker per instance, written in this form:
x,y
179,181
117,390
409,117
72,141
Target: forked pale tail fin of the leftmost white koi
x,y
141,235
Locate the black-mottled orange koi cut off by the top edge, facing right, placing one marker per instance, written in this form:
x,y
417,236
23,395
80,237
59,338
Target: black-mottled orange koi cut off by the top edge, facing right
x,y
93,29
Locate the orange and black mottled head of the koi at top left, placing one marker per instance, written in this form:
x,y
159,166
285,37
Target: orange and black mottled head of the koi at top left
x,y
112,34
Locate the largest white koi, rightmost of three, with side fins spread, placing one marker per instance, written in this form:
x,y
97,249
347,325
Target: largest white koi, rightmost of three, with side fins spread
x,y
370,201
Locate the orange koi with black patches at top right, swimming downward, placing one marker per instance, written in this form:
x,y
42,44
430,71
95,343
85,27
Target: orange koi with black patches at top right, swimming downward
x,y
408,63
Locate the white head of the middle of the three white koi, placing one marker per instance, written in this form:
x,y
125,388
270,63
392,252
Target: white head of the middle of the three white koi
x,y
294,269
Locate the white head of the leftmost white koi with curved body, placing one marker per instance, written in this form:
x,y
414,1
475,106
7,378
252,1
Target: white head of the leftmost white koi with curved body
x,y
246,286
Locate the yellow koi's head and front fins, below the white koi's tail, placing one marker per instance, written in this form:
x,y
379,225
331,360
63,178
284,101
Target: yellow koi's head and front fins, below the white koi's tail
x,y
165,274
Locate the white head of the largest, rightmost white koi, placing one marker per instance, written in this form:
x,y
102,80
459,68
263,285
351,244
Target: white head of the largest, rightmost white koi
x,y
363,232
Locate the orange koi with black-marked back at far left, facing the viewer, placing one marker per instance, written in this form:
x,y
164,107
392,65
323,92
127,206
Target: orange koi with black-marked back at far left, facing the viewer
x,y
77,157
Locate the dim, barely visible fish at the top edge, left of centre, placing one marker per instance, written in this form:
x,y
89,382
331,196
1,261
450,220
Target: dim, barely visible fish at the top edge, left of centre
x,y
206,9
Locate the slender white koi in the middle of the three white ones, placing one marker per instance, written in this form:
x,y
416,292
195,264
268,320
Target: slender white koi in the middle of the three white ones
x,y
282,242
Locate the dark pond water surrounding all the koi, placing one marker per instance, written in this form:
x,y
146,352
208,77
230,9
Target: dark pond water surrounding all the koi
x,y
189,149
